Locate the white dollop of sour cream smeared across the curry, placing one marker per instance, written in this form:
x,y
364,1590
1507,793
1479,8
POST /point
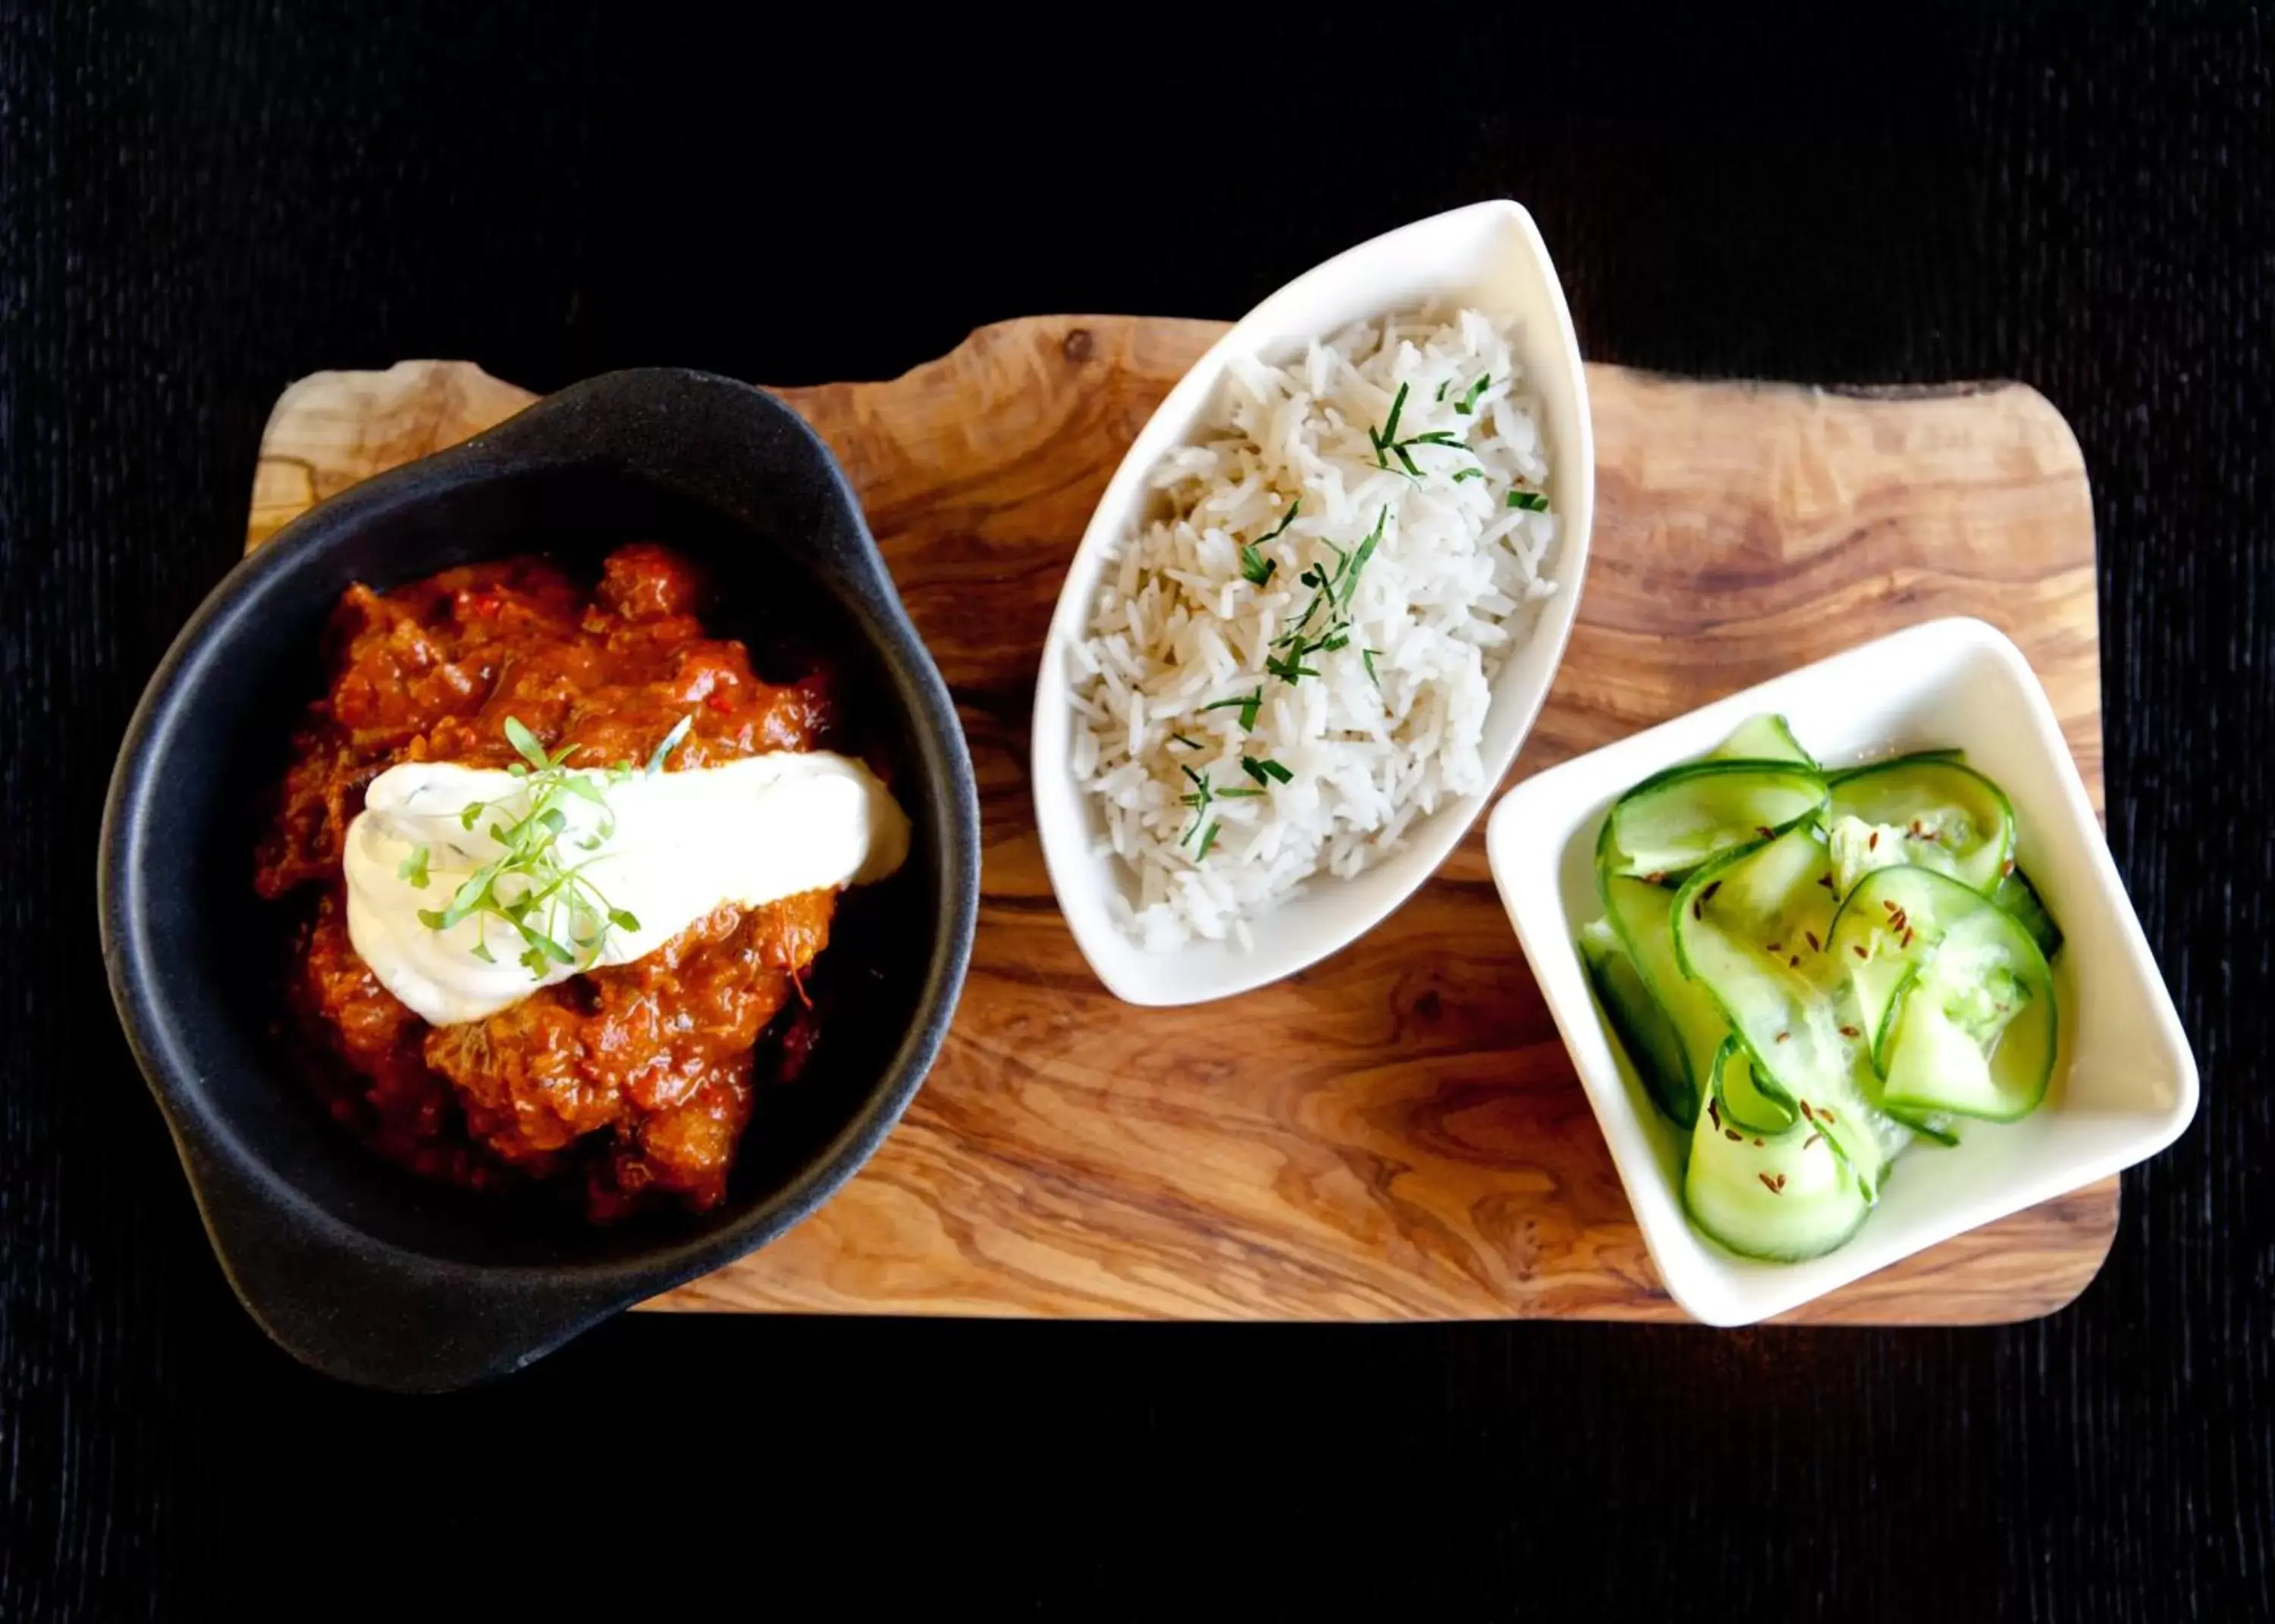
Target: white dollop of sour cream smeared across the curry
x,y
661,847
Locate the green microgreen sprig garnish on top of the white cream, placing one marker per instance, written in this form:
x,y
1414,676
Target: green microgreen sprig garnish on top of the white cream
x,y
552,906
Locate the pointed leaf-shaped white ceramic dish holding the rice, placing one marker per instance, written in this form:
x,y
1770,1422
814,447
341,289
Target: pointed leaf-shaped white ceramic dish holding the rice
x,y
1491,258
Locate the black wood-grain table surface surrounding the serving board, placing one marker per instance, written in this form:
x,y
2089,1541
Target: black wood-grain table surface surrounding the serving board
x,y
201,206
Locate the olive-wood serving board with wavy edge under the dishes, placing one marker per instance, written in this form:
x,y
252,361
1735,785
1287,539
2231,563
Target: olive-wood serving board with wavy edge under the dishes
x,y
1396,1134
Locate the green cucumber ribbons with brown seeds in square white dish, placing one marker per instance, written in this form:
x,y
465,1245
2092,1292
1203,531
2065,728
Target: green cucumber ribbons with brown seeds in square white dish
x,y
1812,970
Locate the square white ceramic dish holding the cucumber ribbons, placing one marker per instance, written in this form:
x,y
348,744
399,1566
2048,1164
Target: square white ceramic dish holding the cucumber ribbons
x,y
2126,1086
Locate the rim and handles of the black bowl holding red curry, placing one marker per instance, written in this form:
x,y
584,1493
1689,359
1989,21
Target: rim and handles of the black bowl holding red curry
x,y
204,1141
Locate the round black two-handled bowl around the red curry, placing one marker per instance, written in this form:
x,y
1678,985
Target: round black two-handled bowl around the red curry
x,y
347,1261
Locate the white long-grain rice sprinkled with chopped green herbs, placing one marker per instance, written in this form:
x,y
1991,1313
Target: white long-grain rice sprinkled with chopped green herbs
x,y
1180,629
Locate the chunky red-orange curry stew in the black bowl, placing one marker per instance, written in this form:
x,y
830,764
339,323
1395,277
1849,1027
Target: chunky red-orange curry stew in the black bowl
x,y
634,1082
